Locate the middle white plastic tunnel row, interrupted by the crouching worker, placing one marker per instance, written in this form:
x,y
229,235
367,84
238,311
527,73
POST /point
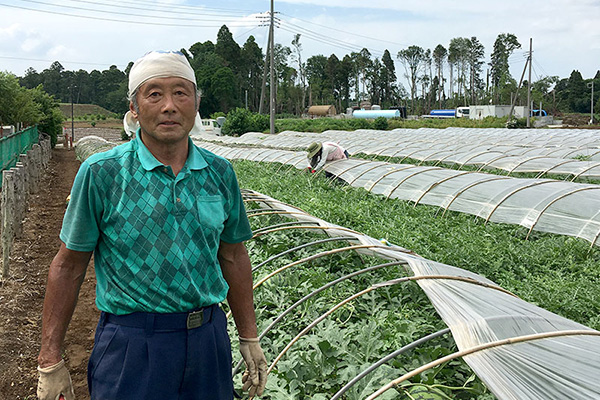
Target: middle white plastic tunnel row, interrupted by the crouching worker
x,y
545,205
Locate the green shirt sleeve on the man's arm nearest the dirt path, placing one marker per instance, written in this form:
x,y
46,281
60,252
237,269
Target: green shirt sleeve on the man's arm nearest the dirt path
x,y
80,230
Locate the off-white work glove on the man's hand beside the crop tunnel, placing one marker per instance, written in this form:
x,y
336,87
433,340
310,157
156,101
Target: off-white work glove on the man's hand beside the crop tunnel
x,y
255,376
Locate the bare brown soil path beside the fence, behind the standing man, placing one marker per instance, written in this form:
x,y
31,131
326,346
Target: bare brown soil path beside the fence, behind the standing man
x,y
22,295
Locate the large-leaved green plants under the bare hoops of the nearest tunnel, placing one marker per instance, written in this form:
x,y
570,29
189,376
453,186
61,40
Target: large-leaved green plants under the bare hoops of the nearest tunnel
x,y
355,336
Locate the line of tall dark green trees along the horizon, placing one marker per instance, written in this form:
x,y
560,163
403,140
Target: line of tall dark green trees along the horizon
x,y
232,76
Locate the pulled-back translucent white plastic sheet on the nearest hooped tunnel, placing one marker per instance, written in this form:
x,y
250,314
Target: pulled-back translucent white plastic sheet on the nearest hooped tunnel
x,y
565,366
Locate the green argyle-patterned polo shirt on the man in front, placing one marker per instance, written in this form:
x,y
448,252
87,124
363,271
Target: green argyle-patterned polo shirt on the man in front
x,y
155,236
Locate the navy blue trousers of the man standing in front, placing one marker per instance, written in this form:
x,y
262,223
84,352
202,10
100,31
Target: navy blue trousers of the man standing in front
x,y
146,356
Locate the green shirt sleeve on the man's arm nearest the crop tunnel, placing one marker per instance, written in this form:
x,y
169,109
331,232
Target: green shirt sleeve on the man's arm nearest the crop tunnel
x,y
237,227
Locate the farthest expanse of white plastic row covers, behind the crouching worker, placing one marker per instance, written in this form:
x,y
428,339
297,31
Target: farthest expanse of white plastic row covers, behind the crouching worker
x,y
528,151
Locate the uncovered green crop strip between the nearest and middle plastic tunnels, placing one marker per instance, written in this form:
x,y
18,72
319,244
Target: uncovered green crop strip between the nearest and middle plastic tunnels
x,y
558,273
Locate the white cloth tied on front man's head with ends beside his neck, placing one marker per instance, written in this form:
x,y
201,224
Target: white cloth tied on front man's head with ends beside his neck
x,y
158,64
